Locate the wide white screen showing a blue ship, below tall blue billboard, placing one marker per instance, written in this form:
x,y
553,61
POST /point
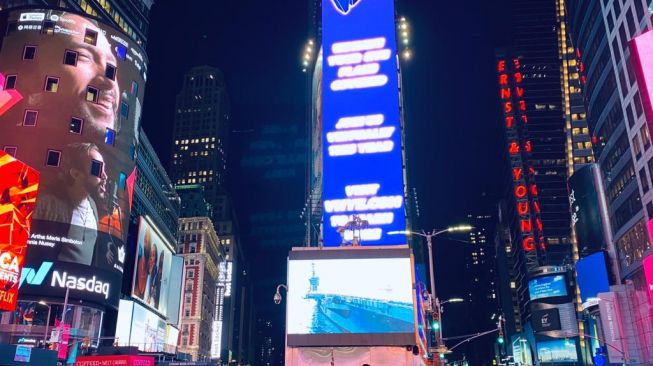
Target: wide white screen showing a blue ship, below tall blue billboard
x,y
338,298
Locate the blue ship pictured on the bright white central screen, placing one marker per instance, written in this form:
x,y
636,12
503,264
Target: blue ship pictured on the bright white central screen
x,y
352,314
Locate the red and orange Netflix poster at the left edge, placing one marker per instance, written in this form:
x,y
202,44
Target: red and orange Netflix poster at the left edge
x,y
19,185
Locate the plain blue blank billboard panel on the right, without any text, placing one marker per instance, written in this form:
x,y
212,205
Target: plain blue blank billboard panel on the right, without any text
x,y
592,276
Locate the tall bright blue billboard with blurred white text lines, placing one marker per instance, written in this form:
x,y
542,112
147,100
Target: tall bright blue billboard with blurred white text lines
x,y
363,173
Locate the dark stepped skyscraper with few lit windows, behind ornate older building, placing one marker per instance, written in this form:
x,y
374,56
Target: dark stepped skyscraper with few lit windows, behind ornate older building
x,y
201,133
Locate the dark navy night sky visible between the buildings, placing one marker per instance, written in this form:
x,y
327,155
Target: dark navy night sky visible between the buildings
x,y
452,116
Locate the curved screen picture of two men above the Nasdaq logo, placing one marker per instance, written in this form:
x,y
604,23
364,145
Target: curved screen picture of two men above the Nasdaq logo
x,y
82,85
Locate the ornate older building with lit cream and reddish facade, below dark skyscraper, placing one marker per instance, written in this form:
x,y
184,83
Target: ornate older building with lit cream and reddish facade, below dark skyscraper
x,y
200,247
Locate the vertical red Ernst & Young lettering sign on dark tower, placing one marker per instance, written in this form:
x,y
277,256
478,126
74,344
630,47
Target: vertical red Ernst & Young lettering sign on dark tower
x,y
519,149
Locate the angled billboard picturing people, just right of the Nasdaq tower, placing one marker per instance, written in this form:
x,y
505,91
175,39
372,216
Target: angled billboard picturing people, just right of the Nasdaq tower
x,y
157,272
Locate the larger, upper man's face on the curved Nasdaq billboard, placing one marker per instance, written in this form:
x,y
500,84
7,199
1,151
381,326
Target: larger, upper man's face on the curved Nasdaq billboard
x,y
93,70
